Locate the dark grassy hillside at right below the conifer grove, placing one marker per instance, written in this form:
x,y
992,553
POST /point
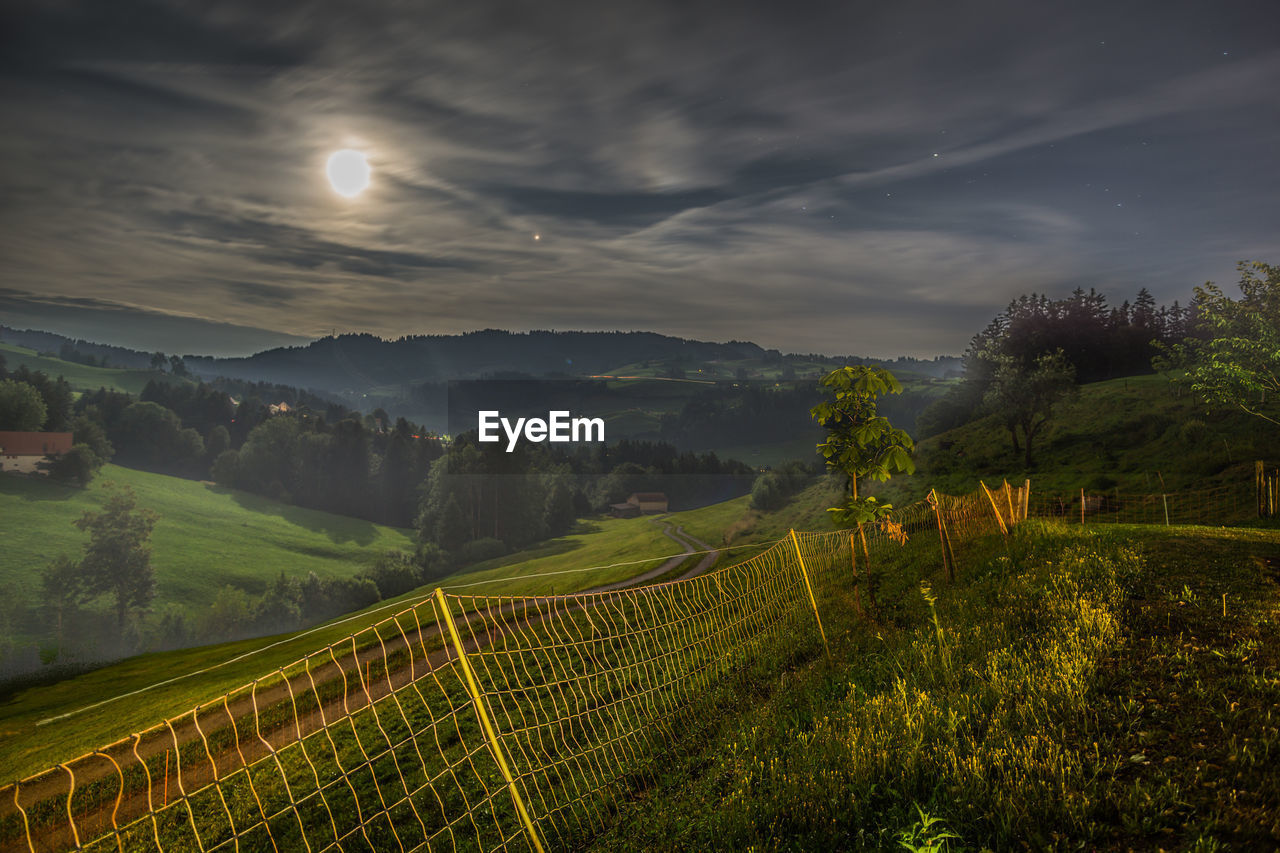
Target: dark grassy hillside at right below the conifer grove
x,y
1142,435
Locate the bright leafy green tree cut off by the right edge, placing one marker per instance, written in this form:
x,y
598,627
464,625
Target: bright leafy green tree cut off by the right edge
x,y
1238,364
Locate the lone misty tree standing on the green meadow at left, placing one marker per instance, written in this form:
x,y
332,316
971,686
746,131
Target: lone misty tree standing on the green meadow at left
x,y
118,556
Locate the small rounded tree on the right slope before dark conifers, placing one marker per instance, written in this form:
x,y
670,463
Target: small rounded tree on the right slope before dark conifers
x,y
1025,396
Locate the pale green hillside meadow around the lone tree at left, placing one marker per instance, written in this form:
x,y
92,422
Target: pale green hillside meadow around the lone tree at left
x,y
207,537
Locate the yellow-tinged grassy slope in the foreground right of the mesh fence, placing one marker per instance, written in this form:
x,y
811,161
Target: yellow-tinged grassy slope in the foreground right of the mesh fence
x,y
1080,691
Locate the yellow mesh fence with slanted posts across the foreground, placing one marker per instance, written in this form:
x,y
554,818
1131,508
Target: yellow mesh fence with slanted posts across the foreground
x,y
478,723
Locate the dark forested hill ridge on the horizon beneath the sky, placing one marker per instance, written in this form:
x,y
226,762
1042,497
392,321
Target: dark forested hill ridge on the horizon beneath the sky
x,y
351,362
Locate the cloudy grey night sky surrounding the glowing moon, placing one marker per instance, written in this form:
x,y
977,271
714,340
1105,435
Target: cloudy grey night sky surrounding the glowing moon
x,y
856,179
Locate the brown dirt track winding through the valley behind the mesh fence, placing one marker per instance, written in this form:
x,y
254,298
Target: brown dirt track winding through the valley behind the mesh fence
x,y
360,691
